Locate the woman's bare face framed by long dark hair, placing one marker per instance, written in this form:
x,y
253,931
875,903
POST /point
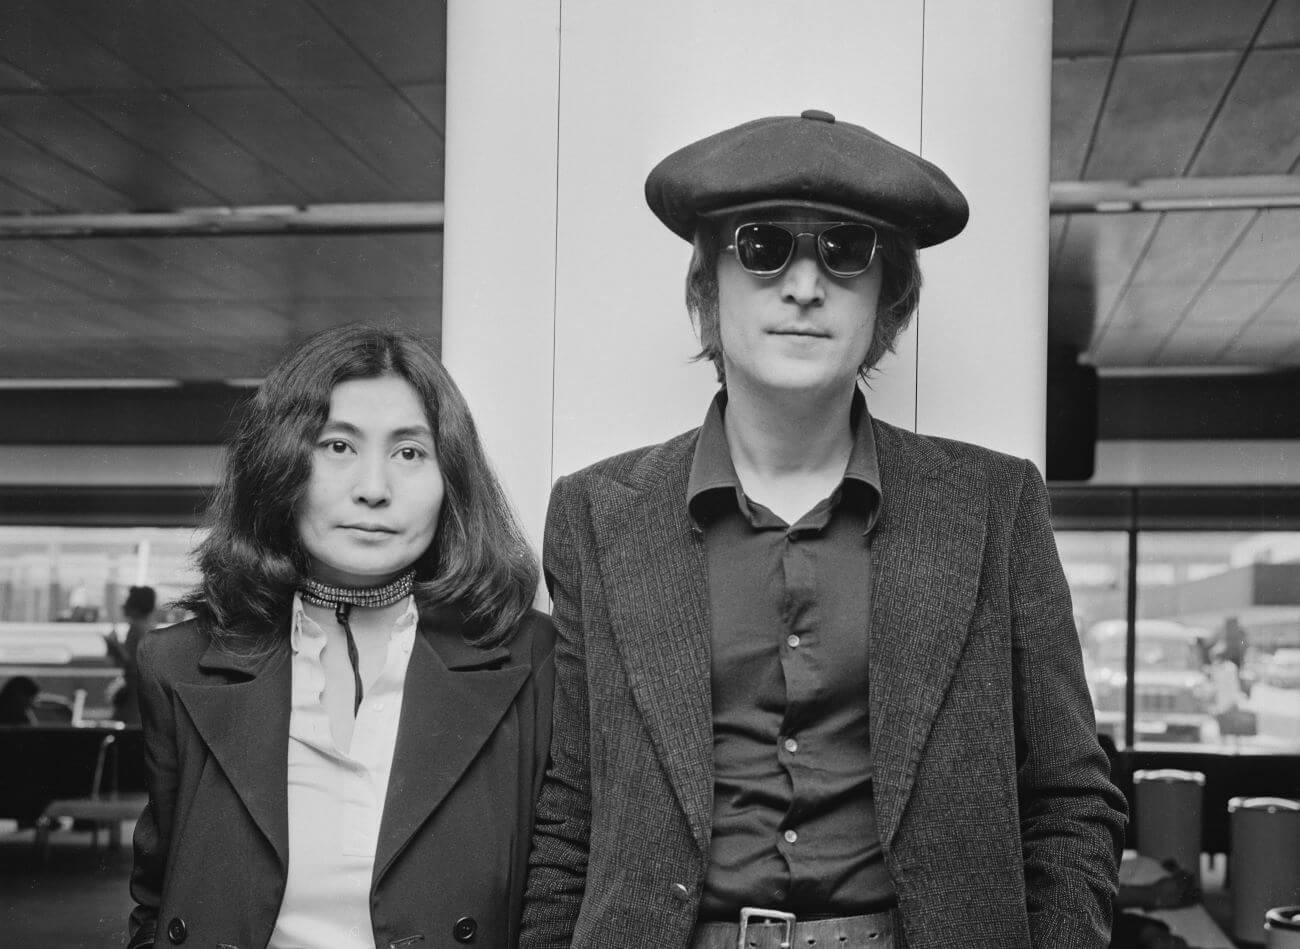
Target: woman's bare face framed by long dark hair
x,y
376,489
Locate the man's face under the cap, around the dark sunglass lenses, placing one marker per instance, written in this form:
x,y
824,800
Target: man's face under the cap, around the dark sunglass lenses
x,y
804,331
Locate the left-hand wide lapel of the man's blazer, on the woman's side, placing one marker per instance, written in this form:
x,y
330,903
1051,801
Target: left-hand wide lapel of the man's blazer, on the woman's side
x,y
655,570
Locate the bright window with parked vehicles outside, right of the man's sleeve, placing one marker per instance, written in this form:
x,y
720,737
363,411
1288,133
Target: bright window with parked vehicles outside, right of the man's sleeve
x,y
1211,638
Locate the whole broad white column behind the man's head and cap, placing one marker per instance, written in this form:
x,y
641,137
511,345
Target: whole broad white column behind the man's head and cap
x,y
583,349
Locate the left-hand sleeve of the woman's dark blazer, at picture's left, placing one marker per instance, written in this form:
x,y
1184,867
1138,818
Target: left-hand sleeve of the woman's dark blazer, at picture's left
x,y
154,830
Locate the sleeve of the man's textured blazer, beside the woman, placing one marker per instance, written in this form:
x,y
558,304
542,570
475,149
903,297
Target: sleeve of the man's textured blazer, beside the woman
x,y
564,820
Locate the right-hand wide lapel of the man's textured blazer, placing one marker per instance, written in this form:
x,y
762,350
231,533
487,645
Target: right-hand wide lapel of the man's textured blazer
x,y
926,561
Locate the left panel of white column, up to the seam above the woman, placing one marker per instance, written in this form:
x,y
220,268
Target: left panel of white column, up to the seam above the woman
x,y
499,294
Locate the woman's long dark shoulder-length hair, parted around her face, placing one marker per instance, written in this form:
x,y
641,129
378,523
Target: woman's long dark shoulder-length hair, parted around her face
x,y
252,560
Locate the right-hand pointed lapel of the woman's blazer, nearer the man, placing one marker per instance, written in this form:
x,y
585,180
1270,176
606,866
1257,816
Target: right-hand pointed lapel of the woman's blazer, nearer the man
x,y
456,696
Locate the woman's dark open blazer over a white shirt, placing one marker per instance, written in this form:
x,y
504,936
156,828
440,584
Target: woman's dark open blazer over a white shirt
x,y
213,846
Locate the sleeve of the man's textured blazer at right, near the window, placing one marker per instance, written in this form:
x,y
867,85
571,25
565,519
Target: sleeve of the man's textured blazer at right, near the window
x,y
1072,817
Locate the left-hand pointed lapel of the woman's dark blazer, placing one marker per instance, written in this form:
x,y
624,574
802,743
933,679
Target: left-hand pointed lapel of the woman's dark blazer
x,y
245,725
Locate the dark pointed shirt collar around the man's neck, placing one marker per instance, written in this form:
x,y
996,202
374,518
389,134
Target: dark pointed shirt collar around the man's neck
x,y
714,476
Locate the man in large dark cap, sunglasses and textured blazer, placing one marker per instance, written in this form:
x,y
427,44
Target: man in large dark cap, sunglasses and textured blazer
x,y
818,678
